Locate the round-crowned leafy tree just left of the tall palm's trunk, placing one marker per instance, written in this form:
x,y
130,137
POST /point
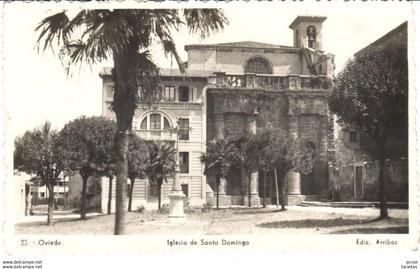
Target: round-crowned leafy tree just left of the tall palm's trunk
x,y
86,146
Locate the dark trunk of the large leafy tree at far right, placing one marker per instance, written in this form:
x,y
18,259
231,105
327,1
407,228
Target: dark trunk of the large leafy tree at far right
x,y
382,179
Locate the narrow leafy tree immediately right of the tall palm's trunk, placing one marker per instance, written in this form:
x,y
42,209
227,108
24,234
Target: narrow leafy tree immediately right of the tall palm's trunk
x,y
137,157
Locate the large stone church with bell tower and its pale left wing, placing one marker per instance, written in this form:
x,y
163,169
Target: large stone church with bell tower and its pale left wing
x,y
233,89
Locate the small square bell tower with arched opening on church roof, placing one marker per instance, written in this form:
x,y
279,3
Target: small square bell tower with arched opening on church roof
x,y
307,32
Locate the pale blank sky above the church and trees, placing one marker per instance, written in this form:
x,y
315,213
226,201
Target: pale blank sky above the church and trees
x,y
37,89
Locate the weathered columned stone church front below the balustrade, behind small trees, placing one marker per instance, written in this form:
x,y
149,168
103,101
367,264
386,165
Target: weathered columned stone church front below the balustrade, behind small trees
x,y
298,107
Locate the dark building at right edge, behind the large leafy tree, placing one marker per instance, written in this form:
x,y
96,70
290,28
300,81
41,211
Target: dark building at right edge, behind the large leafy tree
x,y
356,168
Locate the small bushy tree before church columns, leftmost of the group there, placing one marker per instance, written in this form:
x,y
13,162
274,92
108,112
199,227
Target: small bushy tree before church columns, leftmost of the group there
x,y
218,159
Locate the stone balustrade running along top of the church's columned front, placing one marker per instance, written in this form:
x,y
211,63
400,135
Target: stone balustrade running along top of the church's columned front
x,y
270,82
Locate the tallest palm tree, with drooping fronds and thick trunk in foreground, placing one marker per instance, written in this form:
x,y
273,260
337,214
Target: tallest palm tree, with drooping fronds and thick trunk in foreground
x,y
124,35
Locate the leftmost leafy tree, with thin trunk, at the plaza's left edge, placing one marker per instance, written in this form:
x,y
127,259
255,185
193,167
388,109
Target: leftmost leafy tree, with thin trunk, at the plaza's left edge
x,y
36,153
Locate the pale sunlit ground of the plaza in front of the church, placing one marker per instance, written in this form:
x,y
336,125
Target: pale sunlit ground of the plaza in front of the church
x,y
311,220
